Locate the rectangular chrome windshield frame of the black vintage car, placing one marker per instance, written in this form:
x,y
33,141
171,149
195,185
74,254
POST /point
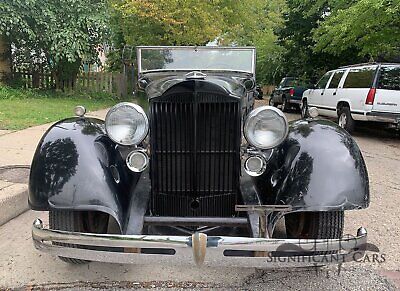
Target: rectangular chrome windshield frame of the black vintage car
x,y
140,48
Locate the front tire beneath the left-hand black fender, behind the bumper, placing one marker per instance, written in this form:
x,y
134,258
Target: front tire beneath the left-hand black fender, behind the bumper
x,y
77,221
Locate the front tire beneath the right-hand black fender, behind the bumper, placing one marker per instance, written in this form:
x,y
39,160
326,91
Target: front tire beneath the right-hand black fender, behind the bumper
x,y
312,225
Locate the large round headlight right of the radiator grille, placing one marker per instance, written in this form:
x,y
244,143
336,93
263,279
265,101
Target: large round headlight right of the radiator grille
x,y
266,127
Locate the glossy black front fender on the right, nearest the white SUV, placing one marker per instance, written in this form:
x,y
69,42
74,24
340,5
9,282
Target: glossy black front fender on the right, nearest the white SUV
x,y
319,167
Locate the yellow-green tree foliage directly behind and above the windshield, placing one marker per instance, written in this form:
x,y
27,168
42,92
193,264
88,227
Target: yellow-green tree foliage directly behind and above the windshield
x,y
190,22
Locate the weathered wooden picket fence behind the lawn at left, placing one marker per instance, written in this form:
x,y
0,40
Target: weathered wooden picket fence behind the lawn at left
x,y
96,82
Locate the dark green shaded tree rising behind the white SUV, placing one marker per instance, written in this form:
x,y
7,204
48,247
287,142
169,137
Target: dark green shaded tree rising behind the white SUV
x,y
300,58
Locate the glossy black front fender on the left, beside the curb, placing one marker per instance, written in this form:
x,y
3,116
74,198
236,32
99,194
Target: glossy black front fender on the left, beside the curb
x,y
74,168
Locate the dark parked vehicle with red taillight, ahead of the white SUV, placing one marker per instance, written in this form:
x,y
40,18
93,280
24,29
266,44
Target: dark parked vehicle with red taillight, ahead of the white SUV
x,y
288,93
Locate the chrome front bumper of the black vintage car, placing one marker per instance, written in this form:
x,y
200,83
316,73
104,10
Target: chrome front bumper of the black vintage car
x,y
208,250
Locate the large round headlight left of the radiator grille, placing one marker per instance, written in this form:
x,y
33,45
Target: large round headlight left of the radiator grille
x,y
127,124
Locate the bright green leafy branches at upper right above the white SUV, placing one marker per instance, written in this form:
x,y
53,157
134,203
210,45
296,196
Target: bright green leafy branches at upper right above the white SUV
x,y
371,27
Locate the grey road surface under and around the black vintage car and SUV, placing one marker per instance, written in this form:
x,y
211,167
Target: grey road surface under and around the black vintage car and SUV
x,y
23,267
